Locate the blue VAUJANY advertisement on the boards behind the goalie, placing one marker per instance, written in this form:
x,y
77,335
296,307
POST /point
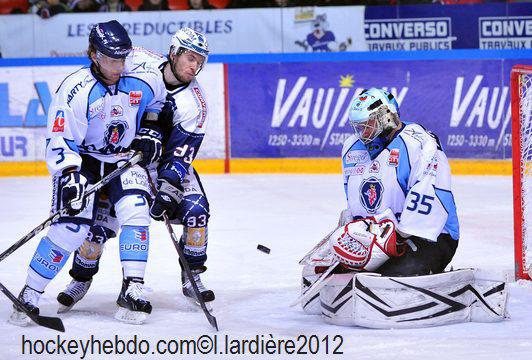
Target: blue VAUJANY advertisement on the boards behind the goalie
x,y
301,109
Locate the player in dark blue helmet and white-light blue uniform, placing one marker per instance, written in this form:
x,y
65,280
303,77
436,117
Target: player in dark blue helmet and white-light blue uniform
x,y
93,123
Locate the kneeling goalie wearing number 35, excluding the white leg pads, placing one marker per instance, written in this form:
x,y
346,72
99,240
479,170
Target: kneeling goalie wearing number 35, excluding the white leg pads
x,y
401,217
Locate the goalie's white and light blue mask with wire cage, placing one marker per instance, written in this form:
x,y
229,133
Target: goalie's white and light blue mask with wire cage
x,y
373,112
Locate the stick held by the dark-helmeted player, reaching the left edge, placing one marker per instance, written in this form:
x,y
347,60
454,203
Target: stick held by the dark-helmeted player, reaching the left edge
x,y
62,212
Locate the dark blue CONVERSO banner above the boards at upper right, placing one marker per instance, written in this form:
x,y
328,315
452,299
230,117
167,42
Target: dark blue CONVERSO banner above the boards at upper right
x,y
480,26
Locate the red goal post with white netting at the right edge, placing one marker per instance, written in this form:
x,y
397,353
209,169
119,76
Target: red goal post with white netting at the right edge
x,y
521,92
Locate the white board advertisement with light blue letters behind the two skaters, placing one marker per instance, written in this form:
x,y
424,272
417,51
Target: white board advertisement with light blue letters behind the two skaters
x,y
26,93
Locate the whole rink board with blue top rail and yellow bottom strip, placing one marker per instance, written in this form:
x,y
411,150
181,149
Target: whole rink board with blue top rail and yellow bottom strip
x,y
288,114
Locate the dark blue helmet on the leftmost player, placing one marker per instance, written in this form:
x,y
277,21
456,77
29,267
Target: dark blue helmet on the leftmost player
x,y
110,39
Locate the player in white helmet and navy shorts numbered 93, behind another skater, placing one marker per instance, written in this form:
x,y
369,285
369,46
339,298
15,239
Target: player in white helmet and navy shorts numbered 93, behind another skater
x,y
180,192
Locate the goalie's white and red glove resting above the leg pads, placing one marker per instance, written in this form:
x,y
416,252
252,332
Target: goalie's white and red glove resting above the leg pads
x,y
365,244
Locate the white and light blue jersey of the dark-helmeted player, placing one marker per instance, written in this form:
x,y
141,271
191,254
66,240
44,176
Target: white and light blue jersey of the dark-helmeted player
x,y
88,117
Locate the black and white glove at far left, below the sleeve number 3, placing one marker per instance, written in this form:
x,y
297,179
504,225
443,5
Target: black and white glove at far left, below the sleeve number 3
x,y
73,186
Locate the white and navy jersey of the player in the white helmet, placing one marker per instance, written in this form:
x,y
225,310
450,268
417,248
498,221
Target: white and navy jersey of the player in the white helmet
x,y
184,120
